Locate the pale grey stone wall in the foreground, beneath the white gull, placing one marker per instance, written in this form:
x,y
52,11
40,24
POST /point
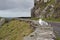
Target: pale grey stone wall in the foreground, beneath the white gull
x,y
41,33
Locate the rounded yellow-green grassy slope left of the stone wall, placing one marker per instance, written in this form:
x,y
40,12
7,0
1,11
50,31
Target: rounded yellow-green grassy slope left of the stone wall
x,y
15,30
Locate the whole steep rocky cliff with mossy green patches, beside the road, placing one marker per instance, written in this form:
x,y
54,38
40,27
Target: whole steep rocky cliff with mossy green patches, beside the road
x,y
46,8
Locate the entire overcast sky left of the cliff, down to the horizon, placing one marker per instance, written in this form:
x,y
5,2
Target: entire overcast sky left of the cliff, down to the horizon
x,y
15,8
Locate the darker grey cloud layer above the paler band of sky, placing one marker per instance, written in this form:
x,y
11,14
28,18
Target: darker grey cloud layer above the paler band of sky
x,y
8,4
